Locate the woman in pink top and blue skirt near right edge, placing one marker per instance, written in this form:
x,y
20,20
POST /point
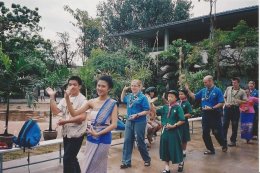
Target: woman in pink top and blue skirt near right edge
x,y
247,114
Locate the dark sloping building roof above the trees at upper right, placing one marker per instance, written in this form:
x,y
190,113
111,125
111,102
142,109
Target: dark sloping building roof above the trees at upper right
x,y
185,28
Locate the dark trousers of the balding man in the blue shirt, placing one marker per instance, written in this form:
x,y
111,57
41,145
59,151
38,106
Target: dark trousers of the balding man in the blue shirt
x,y
211,120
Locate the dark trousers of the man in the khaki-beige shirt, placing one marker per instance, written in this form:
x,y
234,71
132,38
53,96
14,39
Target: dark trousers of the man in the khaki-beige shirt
x,y
231,114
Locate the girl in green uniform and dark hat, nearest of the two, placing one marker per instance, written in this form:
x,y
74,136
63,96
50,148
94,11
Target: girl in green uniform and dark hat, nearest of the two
x,y
172,117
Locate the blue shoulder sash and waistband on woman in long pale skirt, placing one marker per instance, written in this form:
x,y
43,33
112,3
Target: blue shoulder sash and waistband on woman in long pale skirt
x,y
103,114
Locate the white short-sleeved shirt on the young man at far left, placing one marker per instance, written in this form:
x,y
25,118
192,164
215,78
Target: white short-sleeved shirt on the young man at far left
x,y
72,130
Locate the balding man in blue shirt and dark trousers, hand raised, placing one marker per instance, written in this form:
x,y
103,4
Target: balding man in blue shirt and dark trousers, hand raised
x,y
212,101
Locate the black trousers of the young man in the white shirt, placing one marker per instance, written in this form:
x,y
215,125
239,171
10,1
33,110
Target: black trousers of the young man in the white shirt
x,y
71,149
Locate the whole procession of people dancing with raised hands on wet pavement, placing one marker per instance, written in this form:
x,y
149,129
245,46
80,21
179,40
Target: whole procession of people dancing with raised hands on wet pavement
x,y
174,121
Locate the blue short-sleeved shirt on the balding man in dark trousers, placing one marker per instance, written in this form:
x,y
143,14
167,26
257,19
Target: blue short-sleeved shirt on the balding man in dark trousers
x,y
210,97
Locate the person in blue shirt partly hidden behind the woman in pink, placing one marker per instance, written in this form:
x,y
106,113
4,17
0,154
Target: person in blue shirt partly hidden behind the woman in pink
x,y
254,93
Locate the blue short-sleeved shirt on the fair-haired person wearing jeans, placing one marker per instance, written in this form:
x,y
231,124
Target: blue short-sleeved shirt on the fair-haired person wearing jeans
x,y
136,104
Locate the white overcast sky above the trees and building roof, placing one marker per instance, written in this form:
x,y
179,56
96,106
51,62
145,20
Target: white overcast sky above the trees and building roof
x,y
55,19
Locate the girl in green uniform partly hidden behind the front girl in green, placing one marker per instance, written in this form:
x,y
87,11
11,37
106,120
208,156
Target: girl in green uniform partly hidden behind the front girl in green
x,y
185,128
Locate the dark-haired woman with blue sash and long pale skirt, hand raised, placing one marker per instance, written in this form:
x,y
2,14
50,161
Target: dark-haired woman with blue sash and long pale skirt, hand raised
x,y
103,118
